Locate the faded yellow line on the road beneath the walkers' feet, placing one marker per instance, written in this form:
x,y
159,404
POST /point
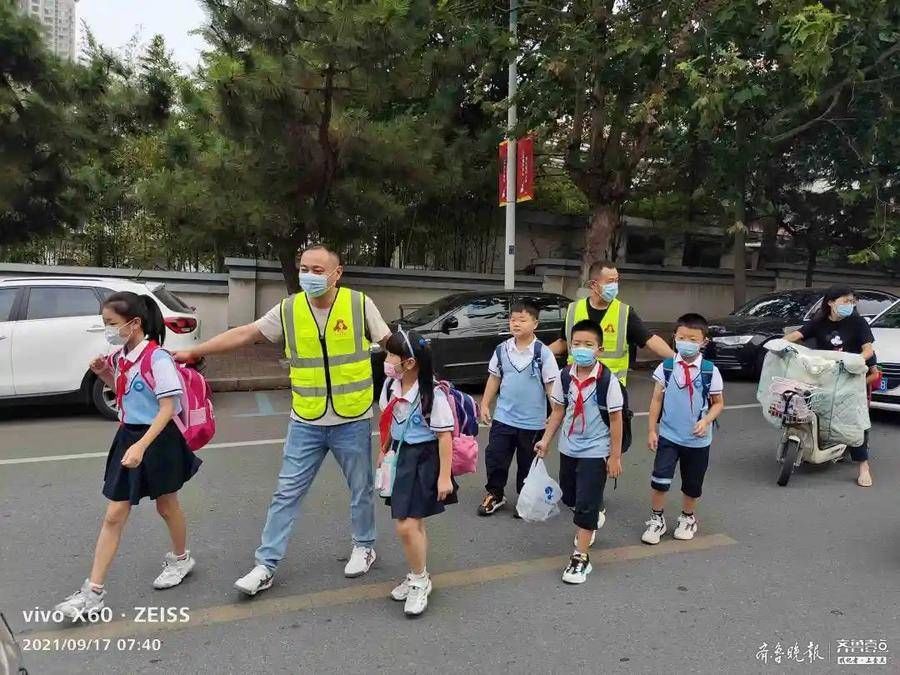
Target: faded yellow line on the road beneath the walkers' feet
x,y
255,609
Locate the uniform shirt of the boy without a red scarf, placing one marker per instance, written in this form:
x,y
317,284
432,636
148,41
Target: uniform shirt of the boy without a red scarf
x,y
522,402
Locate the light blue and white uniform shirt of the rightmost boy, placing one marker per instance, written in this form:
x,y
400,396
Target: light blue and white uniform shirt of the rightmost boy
x,y
683,405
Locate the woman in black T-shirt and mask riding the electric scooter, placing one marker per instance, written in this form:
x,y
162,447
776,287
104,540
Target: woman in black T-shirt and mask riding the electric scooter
x,y
838,327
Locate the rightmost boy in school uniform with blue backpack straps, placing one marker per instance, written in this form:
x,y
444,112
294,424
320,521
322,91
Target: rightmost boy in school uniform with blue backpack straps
x,y
686,401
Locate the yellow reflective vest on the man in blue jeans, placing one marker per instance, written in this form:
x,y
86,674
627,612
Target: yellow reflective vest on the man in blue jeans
x,y
333,366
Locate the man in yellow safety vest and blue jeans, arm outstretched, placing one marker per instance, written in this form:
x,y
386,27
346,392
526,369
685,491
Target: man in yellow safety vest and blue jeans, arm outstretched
x,y
327,331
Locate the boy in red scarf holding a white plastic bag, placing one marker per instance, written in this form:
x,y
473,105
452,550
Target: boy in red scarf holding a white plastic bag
x,y
587,400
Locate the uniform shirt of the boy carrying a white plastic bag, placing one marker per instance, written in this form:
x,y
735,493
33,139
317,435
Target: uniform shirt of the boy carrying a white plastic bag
x,y
586,435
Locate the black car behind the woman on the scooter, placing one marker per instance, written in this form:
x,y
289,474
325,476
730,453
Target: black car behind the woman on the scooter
x,y
737,339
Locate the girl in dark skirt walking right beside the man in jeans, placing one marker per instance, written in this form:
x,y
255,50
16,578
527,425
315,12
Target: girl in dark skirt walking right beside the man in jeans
x,y
416,423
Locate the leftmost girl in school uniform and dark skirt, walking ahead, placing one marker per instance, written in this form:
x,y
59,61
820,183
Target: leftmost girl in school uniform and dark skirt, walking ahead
x,y
148,457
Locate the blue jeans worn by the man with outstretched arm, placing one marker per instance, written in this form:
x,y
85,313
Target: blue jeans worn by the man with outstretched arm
x,y
304,450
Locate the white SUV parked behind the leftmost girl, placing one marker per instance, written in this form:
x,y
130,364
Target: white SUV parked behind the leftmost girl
x,y
50,329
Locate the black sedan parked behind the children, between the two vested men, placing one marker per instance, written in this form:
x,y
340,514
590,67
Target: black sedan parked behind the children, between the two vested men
x,y
464,329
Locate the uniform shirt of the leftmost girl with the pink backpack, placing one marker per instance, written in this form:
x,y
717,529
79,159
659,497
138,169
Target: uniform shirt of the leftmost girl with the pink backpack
x,y
140,404
